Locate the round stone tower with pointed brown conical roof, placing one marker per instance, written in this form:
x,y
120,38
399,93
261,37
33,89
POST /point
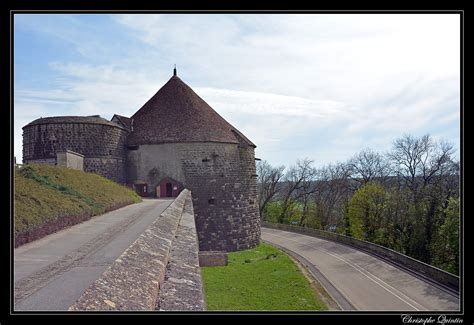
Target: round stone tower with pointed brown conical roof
x,y
177,135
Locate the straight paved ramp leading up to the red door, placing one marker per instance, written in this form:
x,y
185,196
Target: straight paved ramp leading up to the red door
x,y
53,272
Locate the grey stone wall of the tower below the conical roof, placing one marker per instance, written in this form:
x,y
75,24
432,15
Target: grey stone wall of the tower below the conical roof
x,y
222,179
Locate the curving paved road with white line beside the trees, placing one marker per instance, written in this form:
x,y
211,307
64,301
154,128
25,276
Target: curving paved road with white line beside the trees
x,y
365,281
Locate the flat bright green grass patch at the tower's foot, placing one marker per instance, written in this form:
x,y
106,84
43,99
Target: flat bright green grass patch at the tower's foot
x,y
262,278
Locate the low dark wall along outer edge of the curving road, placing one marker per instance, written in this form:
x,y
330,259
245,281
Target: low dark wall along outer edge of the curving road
x,y
428,272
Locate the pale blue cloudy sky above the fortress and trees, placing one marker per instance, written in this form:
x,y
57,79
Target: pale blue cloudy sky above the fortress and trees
x,y
317,86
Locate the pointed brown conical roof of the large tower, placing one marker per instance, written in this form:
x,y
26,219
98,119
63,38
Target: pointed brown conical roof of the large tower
x,y
177,114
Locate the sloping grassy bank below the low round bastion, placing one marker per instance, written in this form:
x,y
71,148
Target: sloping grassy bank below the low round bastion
x,y
45,194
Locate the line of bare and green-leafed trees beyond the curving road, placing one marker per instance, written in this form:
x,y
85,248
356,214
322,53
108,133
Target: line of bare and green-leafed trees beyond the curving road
x,y
406,199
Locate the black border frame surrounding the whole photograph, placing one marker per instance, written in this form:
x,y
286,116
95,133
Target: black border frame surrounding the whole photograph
x,y
71,7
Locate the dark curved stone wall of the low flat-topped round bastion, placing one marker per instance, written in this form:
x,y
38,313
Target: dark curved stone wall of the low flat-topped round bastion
x,y
102,145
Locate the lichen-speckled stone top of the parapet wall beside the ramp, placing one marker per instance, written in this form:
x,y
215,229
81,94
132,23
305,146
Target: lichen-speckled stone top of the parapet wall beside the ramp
x,y
133,281
